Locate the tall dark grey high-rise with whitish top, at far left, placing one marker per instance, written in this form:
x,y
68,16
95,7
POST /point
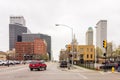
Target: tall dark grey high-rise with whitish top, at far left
x,y
16,28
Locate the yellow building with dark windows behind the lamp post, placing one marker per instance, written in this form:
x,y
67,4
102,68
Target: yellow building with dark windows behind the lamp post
x,y
83,53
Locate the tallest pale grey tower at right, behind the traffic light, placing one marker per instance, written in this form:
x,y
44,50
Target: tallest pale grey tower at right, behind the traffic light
x,y
101,33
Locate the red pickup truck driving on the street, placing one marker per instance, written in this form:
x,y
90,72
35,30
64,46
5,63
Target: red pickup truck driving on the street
x,y
37,65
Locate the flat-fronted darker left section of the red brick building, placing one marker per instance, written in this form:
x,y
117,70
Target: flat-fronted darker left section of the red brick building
x,y
24,50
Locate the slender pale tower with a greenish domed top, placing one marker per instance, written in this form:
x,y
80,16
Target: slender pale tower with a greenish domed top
x,y
89,36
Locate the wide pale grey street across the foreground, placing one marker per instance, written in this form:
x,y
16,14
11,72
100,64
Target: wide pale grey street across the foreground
x,y
53,72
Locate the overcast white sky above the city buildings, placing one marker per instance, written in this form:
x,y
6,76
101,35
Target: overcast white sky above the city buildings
x,y
42,15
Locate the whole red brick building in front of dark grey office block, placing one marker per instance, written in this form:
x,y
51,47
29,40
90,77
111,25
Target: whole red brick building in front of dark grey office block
x,y
26,50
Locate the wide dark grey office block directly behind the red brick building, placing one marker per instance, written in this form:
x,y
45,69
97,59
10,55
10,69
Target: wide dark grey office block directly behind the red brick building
x,y
30,37
